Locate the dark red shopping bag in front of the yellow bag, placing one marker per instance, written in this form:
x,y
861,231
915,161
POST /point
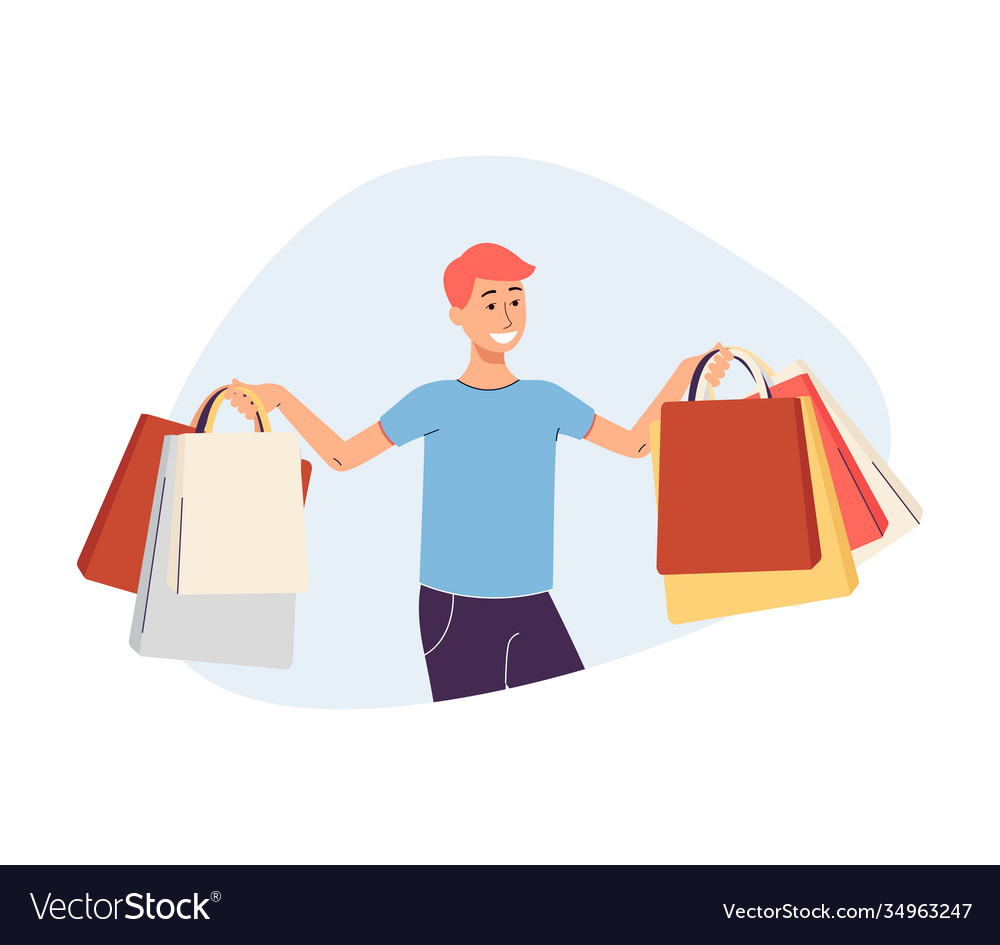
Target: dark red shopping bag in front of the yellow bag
x,y
754,510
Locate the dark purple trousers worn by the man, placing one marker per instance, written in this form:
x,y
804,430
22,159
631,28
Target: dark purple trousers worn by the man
x,y
482,644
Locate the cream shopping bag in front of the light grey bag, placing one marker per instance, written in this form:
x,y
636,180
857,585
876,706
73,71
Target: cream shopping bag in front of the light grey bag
x,y
215,546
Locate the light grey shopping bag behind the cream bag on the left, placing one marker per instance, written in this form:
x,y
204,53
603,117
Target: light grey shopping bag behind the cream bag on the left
x,y
251,629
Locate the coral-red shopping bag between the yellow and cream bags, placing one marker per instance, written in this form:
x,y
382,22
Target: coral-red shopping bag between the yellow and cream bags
x,y
863,517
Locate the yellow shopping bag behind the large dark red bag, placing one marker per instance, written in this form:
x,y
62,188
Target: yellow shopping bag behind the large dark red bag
x,y
706,596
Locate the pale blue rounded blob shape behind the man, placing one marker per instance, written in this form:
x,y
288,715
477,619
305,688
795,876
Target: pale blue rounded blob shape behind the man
x,y
351,315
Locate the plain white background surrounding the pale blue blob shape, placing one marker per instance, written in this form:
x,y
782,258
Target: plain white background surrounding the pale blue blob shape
x,y
155,159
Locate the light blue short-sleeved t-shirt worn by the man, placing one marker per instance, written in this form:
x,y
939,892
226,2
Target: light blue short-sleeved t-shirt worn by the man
x,y
489,481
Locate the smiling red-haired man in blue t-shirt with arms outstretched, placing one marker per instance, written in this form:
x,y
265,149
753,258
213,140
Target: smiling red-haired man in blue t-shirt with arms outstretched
x,y
486,618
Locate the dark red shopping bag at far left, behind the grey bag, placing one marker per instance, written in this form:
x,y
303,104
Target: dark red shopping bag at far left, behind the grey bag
x,y
113,551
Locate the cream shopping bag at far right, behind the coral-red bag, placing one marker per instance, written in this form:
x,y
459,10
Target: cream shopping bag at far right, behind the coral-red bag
x,y
900,512
